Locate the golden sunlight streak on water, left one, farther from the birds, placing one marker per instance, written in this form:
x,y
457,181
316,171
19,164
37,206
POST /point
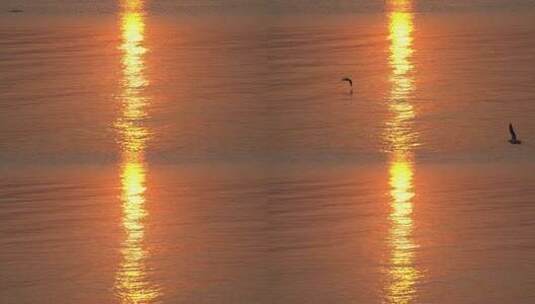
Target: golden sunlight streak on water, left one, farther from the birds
x,y
132,282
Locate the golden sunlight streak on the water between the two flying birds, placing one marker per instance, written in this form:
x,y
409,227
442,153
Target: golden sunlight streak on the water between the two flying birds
x,y
401,139
